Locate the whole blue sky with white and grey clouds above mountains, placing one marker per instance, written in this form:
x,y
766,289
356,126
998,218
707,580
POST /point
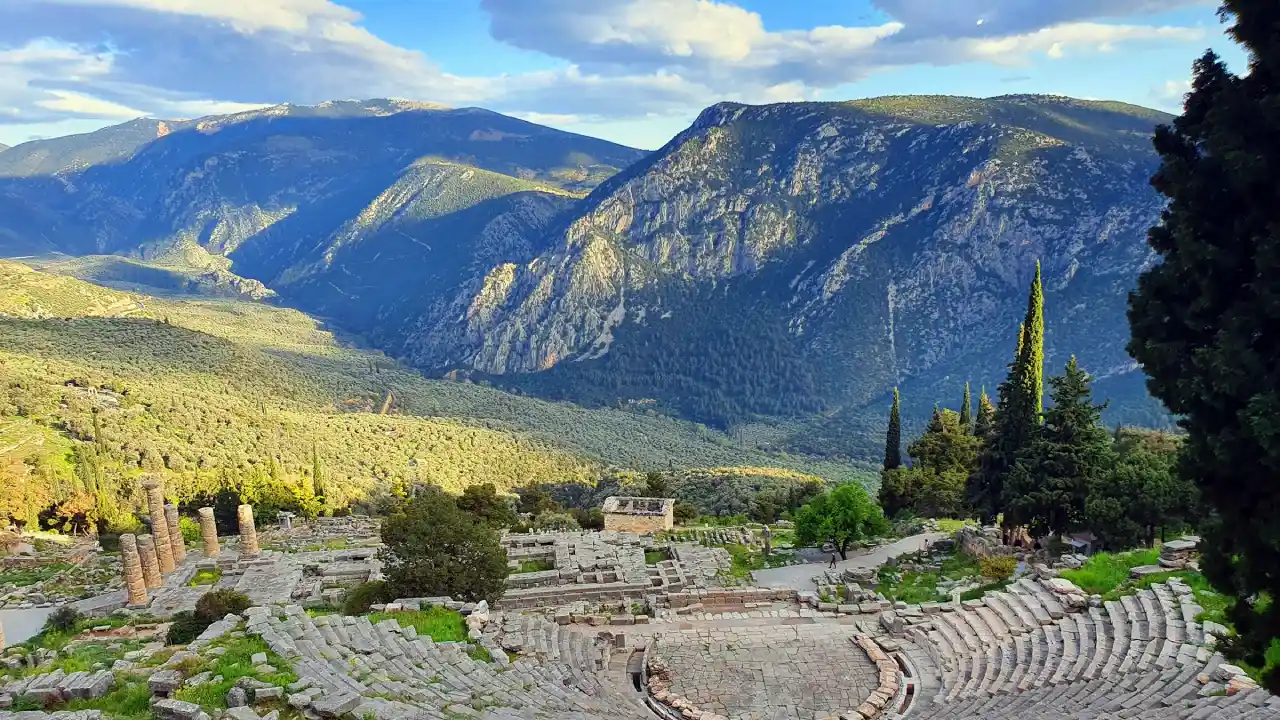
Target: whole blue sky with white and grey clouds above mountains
x,y
636,72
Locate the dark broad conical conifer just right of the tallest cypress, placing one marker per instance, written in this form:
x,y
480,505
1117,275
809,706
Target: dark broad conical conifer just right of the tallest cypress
x,y
1049,485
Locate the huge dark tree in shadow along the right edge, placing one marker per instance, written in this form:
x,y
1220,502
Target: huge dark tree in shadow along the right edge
x,y
1204,320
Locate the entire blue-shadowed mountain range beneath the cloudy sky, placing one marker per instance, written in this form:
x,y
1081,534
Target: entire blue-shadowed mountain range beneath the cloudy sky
x,y
772,270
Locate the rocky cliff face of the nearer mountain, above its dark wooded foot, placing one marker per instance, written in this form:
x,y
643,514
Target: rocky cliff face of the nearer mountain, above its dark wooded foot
x,y
890,243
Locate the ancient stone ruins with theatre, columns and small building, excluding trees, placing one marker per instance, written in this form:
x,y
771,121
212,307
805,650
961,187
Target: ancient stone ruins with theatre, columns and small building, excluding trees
x,y
633,623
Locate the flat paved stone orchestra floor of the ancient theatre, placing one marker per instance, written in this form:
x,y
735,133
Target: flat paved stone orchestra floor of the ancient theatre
x,y
781,673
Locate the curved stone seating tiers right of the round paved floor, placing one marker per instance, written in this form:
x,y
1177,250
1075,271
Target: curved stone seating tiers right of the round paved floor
x,y
1028,653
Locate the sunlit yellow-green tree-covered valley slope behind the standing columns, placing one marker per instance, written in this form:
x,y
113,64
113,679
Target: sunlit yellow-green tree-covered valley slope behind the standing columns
x,y
102,386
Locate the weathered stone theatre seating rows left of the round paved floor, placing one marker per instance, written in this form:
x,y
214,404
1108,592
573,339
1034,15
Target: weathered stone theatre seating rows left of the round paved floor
x,y
351,668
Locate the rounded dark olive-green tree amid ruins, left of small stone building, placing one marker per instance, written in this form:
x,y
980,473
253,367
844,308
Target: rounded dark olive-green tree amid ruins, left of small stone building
x,y
433,549
